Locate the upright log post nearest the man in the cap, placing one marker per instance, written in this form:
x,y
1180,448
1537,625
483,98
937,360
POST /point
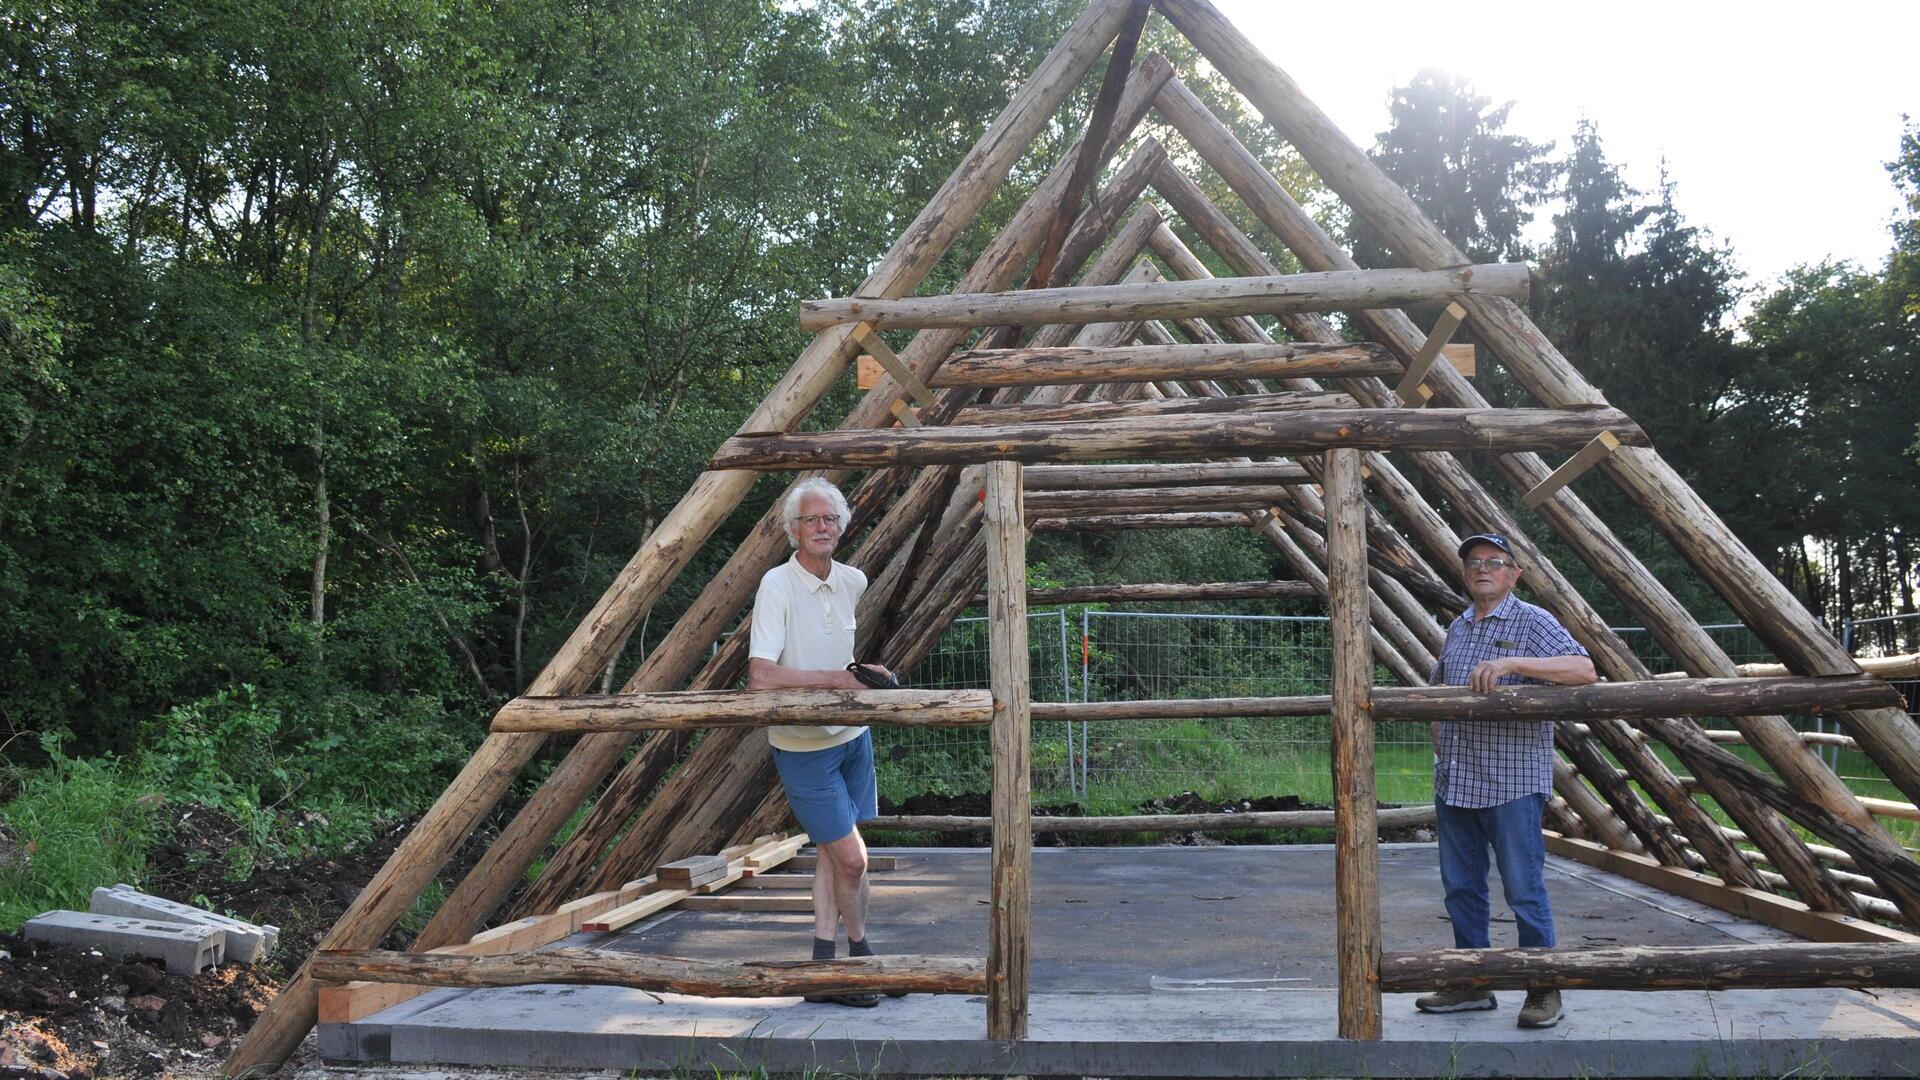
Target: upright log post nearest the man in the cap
x,y
1356,841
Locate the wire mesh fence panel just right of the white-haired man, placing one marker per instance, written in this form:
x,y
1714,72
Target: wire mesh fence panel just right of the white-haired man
x,y
951,762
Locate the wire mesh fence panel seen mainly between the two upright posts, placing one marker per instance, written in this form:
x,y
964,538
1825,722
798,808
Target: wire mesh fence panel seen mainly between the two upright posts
x,y
1132,656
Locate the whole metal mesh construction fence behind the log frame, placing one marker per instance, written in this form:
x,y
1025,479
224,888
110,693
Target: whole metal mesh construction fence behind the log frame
x,y
1080,654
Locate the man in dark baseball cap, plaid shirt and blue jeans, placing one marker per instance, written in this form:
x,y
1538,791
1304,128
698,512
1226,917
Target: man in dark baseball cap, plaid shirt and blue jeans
x,y
1493,777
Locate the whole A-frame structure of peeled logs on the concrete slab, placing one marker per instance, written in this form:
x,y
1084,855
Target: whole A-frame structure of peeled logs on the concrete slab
x,y
1101,337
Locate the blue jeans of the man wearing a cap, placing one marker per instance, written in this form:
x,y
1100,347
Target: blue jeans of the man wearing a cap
x,y
1514,833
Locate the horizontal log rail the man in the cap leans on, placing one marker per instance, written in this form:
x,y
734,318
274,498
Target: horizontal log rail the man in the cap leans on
x,y
1635,700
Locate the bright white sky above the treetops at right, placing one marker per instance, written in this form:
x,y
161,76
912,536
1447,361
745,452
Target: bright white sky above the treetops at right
x,y
1775,120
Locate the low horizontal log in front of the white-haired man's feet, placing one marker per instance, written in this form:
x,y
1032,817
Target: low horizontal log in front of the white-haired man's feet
x,y
660,975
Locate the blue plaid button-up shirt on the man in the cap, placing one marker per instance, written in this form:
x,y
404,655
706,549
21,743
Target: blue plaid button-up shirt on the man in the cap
x,y
1483,764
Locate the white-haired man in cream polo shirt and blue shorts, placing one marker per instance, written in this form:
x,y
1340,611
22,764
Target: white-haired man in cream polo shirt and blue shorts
x,y
804,635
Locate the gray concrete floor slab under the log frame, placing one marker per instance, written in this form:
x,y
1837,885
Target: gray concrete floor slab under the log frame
x,y
1161,962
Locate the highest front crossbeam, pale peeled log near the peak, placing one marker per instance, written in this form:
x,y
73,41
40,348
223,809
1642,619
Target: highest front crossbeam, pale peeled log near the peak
x,y
1337,291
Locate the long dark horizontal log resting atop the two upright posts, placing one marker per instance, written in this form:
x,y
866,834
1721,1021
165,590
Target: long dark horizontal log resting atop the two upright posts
x,y
1184,437
